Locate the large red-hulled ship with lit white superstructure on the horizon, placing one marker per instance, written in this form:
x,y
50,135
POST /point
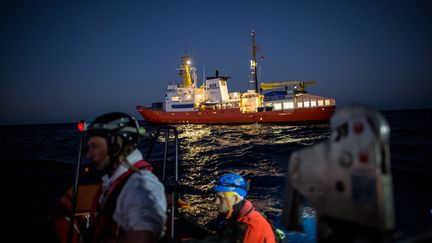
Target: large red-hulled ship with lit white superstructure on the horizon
x,y
211,103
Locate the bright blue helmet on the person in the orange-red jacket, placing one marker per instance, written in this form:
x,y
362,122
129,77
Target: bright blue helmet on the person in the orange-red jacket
x,y
232,182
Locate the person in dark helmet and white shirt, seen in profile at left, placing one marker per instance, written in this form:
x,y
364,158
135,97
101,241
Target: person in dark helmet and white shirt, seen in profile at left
x,y
130,205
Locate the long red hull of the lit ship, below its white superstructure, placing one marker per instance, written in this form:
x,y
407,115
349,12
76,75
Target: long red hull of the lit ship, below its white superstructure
x,y
235,116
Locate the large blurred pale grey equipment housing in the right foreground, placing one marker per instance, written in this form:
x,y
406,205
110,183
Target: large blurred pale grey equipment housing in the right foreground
x,y
347,180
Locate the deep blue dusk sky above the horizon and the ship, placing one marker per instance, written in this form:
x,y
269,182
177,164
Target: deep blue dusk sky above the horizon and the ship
x,y
63,62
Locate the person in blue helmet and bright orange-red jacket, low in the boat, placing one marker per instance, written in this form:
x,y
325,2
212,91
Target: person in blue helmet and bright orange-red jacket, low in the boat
x,y
245,223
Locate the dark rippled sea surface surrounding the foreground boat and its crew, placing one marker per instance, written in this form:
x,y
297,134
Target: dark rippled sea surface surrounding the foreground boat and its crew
x,y
38,163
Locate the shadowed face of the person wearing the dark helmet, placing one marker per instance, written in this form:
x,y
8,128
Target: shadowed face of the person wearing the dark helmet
x,y
98,152
